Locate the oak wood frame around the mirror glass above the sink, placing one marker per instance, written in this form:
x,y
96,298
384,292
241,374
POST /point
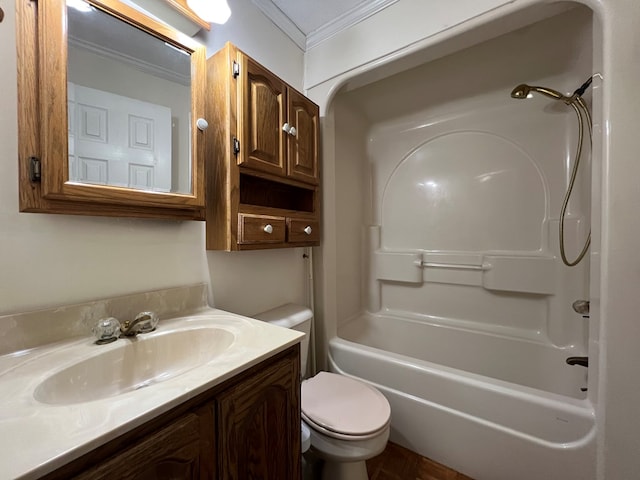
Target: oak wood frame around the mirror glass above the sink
x,y
42,120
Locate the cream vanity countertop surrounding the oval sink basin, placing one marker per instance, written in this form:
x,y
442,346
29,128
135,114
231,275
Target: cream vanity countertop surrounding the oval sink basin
x,y
36,438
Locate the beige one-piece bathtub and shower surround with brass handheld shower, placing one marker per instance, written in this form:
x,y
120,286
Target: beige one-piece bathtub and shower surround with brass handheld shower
x,y
463,249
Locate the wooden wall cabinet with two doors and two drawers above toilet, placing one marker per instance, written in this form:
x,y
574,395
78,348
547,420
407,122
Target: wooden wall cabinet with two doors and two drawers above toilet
x,y
262,160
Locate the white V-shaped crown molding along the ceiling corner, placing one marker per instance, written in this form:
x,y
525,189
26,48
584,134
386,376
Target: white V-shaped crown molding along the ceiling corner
x,y
344,21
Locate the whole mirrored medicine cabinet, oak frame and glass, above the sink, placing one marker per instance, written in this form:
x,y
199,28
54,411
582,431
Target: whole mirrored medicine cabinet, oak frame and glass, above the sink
x,y
119,98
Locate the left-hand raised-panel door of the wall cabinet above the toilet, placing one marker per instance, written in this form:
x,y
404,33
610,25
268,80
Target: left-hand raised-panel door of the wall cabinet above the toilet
x,y
262,116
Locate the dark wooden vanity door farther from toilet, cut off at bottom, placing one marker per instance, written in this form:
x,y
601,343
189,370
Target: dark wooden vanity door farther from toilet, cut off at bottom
x,y
177,451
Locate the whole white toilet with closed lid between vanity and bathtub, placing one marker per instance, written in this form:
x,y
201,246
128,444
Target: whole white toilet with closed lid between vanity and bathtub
x,y
345,421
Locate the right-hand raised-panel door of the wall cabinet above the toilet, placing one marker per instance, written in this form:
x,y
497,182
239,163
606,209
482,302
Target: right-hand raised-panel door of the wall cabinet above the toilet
x,y
303,145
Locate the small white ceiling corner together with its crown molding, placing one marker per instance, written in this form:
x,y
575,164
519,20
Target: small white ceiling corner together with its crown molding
x,y
309,22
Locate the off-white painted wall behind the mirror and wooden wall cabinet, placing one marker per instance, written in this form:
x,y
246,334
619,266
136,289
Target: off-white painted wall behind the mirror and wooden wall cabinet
x,y
58,259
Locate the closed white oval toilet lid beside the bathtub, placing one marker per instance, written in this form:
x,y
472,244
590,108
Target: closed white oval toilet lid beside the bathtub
x,y
344,405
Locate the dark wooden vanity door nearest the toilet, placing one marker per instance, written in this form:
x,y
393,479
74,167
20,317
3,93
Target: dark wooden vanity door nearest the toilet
x,y
259,428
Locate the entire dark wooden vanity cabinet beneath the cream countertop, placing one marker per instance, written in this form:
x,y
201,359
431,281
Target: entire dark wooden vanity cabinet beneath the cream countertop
x,y
248,427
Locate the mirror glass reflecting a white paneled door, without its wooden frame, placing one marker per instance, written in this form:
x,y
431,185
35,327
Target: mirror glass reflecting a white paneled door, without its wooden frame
x,y
129,109
